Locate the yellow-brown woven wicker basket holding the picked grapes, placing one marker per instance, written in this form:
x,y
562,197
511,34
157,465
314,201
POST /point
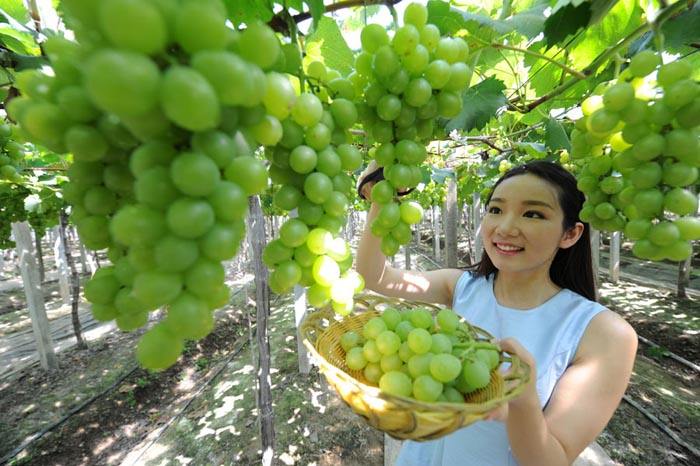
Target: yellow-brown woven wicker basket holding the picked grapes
x,y
400,417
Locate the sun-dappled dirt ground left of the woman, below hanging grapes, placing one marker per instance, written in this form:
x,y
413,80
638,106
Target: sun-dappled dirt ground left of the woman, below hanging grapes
x,y
154,418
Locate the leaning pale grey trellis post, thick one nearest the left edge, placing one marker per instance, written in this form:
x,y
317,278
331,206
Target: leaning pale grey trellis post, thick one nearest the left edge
x,y
35,297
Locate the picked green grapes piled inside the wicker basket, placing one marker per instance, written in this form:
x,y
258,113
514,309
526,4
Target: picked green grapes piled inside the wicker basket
x,y
411,353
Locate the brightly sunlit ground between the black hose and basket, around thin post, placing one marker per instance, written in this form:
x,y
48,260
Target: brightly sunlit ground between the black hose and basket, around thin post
x,y
221,427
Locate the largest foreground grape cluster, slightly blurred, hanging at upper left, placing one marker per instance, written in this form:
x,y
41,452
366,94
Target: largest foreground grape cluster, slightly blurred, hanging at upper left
x,y
161,105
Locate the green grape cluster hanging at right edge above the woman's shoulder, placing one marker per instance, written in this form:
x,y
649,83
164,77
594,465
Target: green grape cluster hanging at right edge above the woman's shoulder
x,y
639,140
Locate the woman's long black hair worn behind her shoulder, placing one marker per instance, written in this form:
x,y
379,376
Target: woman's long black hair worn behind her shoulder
x,y
571,268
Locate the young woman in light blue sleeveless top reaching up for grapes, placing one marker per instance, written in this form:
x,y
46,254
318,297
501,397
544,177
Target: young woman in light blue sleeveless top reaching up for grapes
x,y
534,291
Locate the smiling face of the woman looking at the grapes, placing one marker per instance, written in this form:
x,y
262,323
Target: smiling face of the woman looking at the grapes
x,y
523,226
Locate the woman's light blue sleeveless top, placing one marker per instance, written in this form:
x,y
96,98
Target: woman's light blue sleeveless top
x,y
551,332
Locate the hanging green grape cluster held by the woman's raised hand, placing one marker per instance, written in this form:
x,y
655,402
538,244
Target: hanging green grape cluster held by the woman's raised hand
x,y
410,80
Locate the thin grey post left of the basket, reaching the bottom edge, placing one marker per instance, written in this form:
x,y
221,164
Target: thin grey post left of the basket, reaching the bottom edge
x,y
256,223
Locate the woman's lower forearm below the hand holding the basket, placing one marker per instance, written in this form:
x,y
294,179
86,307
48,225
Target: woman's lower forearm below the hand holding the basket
x,y
530,439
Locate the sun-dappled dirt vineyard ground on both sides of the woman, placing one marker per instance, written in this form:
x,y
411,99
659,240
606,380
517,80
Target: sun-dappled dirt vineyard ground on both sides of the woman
x,y
203,410
